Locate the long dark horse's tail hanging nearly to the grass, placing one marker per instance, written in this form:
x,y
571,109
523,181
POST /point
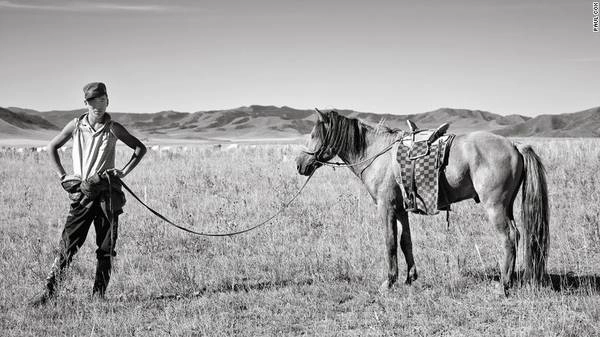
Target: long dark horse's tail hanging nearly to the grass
x,y
535,216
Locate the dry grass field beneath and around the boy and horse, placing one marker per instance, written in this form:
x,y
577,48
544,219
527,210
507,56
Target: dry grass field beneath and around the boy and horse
x,y
314,270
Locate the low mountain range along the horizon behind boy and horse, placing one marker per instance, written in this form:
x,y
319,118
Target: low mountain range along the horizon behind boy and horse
x,y
260,122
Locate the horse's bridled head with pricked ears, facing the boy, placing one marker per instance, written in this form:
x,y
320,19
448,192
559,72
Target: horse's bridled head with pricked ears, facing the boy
x,y
318,147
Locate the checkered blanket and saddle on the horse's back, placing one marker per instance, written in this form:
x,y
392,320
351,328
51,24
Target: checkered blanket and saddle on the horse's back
x,y
422,158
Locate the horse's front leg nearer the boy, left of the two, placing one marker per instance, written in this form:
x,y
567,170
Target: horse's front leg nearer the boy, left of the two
x,y
388,217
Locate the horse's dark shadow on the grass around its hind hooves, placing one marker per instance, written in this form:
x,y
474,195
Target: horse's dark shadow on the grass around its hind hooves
x,y
558,282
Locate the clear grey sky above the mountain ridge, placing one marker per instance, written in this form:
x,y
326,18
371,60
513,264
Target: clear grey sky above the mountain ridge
x,y
401,57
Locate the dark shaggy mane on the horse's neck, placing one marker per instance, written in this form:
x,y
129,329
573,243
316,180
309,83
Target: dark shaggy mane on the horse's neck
x,y
348,135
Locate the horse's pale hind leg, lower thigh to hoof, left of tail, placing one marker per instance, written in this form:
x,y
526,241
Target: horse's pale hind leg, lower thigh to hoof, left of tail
x,y
500,217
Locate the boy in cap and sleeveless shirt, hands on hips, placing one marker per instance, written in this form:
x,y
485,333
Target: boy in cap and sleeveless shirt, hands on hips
x,y
94,189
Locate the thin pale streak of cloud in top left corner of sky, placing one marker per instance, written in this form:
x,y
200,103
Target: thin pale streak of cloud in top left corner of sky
x,y
82,6
